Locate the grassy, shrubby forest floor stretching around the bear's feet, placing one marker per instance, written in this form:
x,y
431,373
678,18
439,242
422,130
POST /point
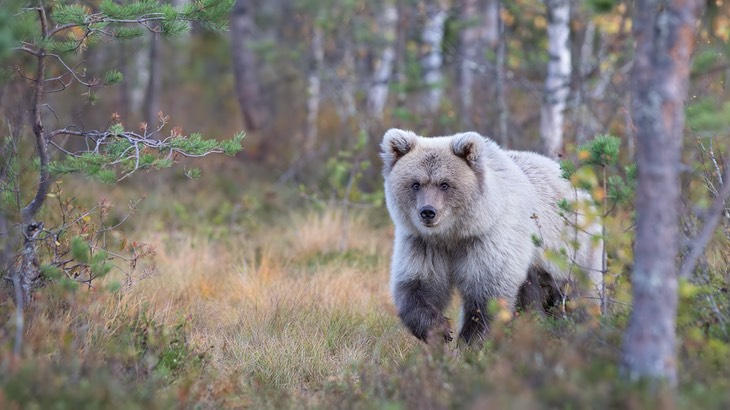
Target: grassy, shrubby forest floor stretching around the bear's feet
x,y
251,302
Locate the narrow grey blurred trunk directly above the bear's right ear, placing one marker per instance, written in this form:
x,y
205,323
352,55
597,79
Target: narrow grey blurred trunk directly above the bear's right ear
x,y
468,39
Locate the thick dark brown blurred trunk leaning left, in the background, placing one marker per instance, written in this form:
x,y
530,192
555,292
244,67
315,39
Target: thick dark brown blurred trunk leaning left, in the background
x,y
248,90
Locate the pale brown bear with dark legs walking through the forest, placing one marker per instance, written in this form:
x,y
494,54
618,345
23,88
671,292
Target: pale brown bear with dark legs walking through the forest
x,y
469,216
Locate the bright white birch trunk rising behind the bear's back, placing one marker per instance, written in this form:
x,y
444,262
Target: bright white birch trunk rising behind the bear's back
x,y
557,80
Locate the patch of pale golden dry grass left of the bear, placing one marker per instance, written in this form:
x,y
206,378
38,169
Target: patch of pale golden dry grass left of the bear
x,y
287,308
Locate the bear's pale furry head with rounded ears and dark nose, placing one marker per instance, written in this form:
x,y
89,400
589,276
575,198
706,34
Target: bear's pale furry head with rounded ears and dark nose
x,y
432,184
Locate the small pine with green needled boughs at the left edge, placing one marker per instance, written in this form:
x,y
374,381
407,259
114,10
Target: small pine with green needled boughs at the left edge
x,y
44,39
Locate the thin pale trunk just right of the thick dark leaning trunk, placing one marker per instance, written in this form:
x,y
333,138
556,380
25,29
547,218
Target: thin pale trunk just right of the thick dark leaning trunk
x,y
314,89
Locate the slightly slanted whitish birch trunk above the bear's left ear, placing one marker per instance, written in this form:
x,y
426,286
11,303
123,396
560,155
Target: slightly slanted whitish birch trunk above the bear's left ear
x,y
378,95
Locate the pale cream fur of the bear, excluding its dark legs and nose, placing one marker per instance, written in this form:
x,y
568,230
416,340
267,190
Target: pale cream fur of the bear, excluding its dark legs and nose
x,y
496,201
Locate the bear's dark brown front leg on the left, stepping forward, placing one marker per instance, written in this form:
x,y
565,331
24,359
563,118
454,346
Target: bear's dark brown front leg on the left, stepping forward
x,y
420,307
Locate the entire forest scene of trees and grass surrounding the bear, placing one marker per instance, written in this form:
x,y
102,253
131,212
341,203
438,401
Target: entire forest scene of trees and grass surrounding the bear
x,y
192,209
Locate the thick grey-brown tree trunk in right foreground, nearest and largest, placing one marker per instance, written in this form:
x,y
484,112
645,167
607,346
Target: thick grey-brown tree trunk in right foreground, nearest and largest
x,y
665,36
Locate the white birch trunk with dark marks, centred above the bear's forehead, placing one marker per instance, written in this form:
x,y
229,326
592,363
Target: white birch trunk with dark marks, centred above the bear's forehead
x,y
432,60
